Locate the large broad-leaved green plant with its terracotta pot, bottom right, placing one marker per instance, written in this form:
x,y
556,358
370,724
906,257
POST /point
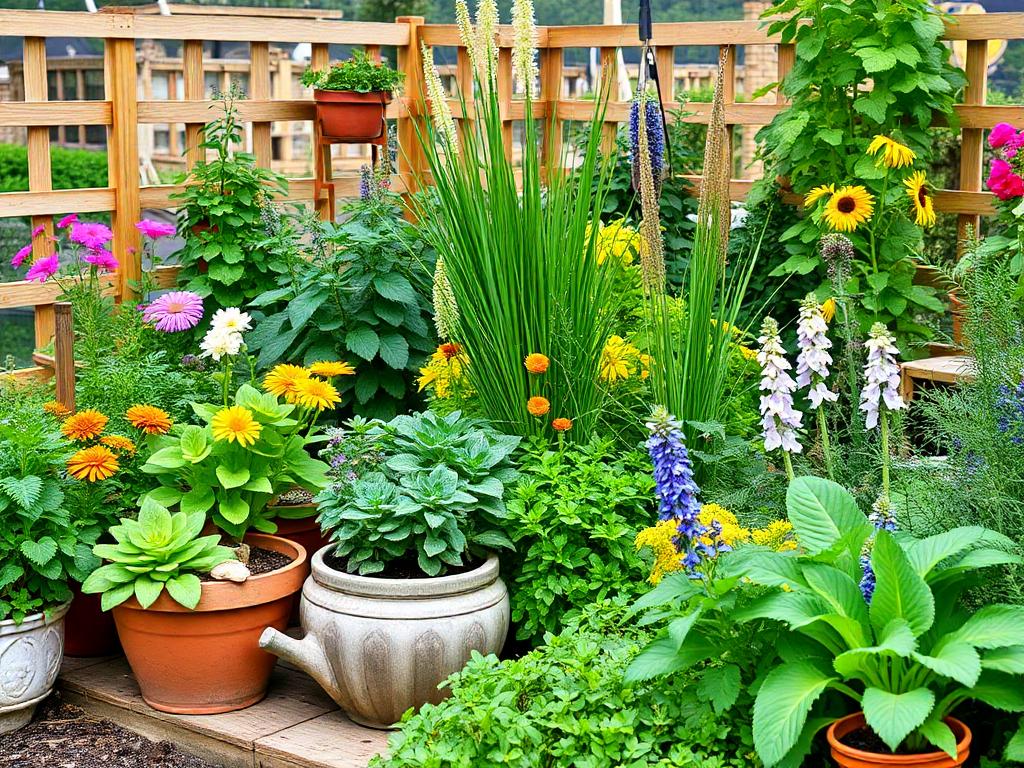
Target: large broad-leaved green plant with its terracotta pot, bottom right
x,y
887,630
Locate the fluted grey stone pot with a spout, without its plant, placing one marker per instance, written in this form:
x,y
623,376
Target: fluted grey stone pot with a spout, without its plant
x,y
380,647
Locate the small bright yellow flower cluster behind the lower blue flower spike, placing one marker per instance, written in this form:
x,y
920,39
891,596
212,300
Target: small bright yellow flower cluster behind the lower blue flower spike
x,y
777,536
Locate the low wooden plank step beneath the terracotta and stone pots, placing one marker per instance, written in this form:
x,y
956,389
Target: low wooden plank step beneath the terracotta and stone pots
x,y
296,727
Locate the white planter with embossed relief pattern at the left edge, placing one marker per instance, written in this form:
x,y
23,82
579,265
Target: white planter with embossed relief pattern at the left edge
x,y
30,661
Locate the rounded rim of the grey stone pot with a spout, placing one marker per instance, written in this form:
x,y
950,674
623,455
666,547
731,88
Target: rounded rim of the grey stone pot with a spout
x,y
403,589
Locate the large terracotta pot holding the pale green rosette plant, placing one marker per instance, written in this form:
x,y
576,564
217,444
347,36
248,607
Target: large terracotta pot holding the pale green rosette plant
x,y
209,660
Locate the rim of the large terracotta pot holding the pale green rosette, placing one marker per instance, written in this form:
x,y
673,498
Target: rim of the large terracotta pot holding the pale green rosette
x,y
257,590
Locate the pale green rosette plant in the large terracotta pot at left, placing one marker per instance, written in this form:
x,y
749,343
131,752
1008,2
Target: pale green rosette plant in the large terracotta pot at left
x,y
156,552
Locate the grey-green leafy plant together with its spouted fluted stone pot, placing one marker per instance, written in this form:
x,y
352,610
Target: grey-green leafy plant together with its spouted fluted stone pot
x,y
410,586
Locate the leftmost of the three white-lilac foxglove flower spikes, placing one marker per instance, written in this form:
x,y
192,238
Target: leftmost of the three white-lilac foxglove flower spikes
x,y
779,419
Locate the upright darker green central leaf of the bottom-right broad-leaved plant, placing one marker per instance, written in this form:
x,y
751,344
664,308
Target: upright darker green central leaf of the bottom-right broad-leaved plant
x,y
900,590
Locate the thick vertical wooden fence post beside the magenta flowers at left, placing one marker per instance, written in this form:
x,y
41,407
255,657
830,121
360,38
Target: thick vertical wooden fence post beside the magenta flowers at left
x,y
123,162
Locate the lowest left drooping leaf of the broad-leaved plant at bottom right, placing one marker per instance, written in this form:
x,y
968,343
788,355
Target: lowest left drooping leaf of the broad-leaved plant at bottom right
x,y
782,708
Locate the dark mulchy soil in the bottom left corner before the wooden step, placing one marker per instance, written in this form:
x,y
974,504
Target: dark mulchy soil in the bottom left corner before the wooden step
x,y
64,737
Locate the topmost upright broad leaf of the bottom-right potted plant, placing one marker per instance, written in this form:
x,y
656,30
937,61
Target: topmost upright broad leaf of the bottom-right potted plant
x,y
824,515
